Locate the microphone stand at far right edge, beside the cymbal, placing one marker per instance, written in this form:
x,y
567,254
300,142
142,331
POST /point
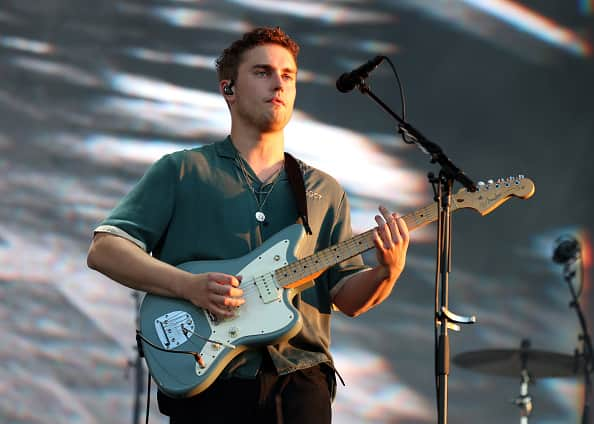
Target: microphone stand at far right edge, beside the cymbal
x,y
586,342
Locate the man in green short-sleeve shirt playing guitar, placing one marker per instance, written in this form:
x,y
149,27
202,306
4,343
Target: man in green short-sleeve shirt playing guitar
x,y
220,202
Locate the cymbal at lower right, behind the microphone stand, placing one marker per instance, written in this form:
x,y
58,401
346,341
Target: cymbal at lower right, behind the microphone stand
x,y
510,362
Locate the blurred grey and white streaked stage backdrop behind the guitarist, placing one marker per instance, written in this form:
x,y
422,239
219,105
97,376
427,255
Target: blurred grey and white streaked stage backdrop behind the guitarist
x,y
92,92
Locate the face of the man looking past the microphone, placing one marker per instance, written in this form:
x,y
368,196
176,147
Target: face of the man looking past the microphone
x,y
264,91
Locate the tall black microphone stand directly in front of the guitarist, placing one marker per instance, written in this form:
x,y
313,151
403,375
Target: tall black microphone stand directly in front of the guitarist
x,y
442,187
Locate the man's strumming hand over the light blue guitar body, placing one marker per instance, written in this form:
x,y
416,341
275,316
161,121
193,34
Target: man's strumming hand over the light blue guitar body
x,y
216,292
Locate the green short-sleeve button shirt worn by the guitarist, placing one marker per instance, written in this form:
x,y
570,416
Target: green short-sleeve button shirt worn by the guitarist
x,y
196,205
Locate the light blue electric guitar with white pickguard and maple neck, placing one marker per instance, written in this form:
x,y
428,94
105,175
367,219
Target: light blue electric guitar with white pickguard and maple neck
x,y
186,348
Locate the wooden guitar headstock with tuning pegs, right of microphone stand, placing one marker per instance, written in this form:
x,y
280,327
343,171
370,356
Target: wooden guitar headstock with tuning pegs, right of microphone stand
x,y
492,194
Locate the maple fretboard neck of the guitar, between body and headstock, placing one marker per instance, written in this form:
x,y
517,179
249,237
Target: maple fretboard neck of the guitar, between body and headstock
x,y
304,270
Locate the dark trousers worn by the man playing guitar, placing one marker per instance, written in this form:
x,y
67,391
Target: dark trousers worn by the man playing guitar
x,y
300,397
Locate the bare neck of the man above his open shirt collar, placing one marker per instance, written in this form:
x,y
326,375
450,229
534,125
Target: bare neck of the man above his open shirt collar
x,y
264,152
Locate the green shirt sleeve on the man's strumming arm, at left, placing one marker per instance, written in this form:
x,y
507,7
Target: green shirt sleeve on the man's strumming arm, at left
x,y
144,213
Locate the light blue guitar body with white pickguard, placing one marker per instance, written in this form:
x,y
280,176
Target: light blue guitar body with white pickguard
x,y
266,317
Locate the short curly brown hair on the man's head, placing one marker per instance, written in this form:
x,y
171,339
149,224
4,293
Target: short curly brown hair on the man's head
x,y
228,62
